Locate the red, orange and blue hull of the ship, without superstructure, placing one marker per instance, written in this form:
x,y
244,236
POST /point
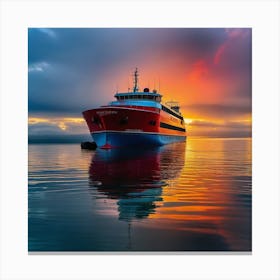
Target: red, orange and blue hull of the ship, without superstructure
x,y
133,126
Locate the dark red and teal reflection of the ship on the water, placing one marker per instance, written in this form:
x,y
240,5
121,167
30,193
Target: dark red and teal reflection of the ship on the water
x,y
134,177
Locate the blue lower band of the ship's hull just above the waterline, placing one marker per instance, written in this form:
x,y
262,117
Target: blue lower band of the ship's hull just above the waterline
x,y
117,139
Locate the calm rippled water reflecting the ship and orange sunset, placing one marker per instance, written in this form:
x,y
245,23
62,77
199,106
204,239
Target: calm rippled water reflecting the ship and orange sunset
x,y
193,196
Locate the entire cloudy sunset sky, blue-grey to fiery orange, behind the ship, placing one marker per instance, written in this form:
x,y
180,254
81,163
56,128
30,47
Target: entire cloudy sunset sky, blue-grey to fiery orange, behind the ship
x,y
207,70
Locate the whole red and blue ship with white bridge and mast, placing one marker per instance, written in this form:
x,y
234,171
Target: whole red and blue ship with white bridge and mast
x,y
136,118
